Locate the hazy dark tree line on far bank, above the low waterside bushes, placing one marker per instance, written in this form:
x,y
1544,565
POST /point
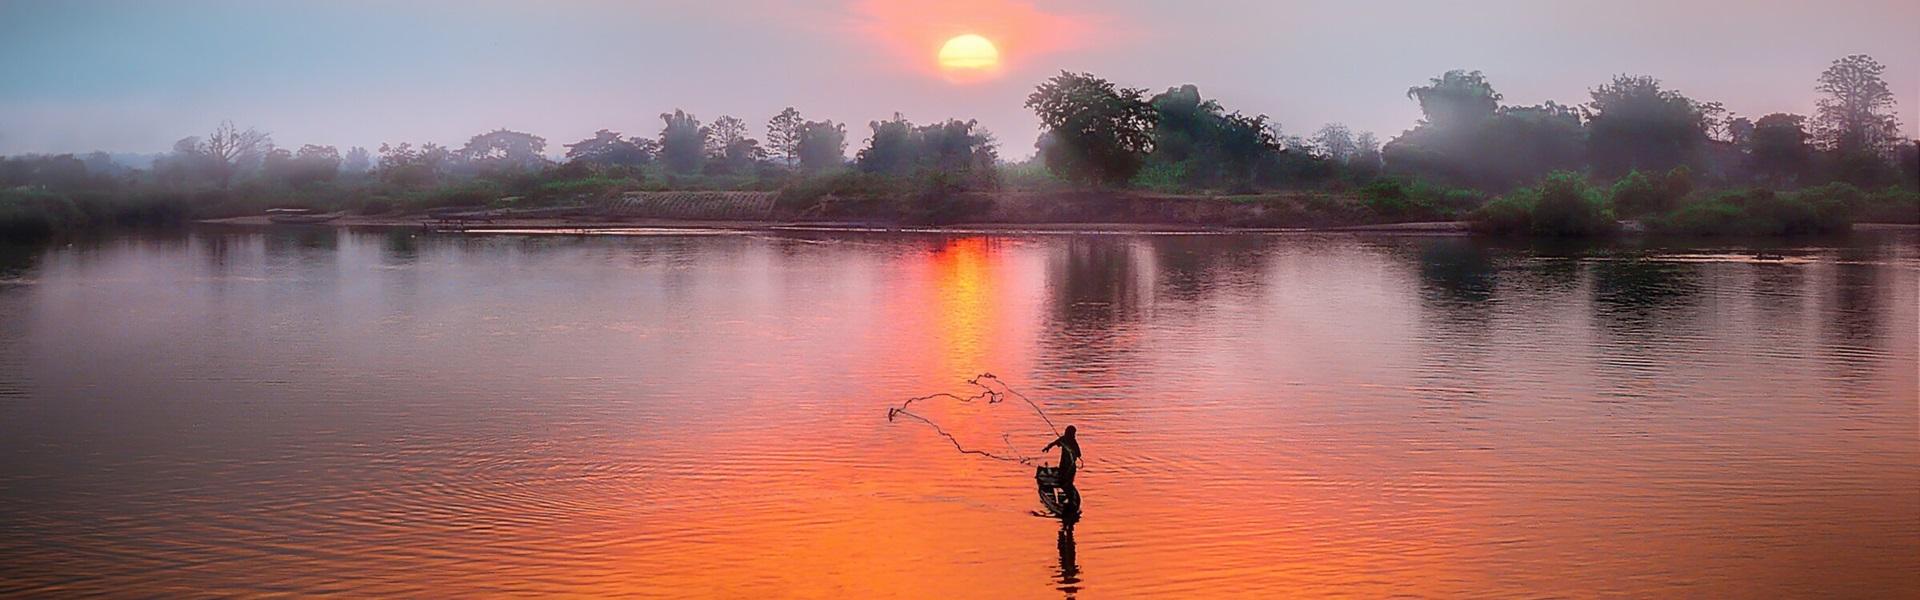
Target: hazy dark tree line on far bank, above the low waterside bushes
x,y
1468,147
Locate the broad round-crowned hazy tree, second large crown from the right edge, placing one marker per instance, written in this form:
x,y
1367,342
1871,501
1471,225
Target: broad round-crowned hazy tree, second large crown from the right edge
x,y
1635,124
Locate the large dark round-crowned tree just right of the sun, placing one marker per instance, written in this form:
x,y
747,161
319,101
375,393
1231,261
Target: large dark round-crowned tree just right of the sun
x,y
1101,132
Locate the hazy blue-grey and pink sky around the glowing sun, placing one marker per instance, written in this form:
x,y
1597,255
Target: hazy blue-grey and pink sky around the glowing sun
x,y
137,76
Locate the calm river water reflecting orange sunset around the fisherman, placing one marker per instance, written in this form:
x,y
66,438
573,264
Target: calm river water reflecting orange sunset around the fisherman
x,y
247,412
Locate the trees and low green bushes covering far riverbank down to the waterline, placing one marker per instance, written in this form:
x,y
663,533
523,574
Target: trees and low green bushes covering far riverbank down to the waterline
x,y
1637,151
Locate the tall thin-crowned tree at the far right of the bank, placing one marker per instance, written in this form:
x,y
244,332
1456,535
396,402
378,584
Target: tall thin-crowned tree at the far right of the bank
x,y
1858,114
